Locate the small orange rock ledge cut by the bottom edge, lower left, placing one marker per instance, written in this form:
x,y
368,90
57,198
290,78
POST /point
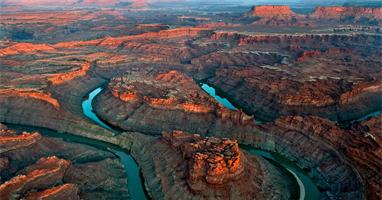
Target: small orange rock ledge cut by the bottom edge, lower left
x,y
62,192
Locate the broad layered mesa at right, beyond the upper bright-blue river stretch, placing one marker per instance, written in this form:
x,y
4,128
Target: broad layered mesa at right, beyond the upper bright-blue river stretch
x,y
338,84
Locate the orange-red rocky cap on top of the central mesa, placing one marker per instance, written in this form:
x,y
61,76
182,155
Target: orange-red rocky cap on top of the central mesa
x,y
130,88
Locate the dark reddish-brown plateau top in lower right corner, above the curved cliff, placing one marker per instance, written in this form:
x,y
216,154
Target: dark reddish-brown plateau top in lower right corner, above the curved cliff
x,y
362,146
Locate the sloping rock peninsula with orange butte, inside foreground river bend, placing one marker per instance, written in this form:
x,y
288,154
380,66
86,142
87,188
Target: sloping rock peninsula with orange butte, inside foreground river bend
x,y
208,168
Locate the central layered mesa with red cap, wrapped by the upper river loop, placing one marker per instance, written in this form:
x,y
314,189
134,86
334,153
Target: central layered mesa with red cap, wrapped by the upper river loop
x,y
167,100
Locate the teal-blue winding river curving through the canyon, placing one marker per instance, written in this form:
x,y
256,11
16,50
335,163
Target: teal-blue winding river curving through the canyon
x,y
135,182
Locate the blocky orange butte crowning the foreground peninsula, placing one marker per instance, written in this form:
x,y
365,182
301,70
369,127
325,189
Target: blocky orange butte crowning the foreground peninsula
x,y
214,160
